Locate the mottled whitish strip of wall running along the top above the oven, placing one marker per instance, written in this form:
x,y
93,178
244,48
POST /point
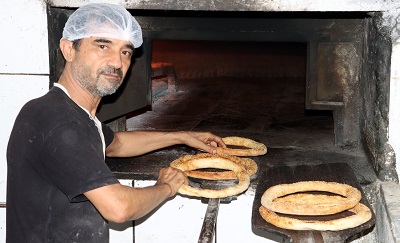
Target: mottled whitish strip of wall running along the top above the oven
x,y
246,5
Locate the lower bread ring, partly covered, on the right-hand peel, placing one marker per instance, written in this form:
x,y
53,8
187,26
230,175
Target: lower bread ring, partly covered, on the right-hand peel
x,y
361,215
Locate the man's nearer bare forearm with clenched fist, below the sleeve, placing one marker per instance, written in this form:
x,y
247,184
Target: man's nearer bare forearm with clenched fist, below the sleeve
x,y
120,203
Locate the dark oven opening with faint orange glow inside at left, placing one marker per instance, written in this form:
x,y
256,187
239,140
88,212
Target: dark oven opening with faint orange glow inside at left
x,y
250,89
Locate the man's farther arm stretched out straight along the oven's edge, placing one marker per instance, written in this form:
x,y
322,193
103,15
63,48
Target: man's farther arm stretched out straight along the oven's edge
x,y
127,144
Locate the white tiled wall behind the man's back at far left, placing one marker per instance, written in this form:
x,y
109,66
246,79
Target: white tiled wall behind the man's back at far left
x,y
24,69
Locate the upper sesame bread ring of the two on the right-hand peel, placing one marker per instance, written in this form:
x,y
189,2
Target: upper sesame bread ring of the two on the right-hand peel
x,y
351,195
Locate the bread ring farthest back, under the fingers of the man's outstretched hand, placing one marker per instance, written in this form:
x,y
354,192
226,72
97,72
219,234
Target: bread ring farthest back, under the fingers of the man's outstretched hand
x,y
253,148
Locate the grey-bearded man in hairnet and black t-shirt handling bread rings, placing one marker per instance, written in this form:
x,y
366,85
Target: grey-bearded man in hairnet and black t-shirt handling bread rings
x,y
59,188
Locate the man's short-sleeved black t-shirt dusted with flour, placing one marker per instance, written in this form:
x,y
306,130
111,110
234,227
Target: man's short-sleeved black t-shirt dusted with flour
x,y
54,155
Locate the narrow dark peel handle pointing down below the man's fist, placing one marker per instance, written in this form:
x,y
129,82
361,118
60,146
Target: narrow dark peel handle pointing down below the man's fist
x,y
208,230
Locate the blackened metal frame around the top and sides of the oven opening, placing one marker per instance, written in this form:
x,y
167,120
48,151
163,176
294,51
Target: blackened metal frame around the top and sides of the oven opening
x,y
326,35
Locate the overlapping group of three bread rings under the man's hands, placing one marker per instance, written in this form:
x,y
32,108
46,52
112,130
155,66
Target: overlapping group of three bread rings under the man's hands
x,y
226,159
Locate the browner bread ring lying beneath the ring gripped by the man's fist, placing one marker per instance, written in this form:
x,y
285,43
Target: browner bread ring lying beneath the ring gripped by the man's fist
x,y
249,166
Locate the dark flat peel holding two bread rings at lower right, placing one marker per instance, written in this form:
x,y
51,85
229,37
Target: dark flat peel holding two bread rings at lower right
x,y
333,172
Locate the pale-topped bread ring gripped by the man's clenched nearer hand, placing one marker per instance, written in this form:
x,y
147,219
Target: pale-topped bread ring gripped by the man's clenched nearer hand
x,y
219,163
